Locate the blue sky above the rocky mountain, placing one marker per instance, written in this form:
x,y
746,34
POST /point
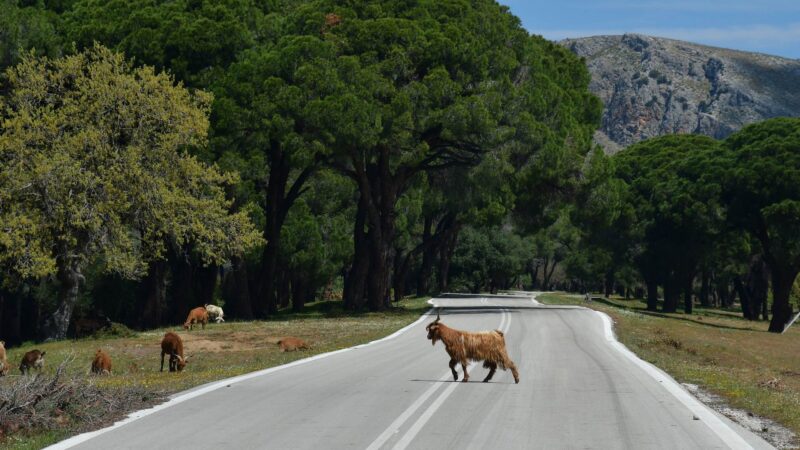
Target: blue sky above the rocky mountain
x,y
767,26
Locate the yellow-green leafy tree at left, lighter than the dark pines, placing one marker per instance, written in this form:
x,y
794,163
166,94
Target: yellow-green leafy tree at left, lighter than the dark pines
x,y
92,157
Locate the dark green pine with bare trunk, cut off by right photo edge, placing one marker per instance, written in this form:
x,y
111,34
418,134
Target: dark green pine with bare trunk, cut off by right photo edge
x,y
762,192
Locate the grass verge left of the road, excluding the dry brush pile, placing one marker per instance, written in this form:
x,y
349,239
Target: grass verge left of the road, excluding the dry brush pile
x,y
220,351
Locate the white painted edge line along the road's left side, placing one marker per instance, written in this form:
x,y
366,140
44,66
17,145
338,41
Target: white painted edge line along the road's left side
x,y
136,415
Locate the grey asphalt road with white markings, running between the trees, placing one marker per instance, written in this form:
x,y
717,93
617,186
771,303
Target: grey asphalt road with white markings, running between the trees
x,y
577,390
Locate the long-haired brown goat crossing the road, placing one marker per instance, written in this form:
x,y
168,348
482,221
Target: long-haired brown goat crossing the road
x,y
463,346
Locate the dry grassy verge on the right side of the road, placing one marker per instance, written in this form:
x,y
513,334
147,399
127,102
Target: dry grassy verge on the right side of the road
x,y
718,350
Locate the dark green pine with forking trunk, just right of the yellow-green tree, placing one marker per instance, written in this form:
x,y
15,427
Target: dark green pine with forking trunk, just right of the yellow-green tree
x,y
265,112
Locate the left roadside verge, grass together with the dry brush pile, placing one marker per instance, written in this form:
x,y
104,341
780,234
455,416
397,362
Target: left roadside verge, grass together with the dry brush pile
x,y
38,410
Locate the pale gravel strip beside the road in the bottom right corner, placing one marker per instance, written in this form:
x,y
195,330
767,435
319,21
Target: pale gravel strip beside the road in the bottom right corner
x,y
770,431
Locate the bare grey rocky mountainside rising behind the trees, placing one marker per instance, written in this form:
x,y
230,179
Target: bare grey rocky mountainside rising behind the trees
x,y
655,86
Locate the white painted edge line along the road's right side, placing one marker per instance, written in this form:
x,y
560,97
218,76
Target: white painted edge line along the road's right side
x,y
729,436
